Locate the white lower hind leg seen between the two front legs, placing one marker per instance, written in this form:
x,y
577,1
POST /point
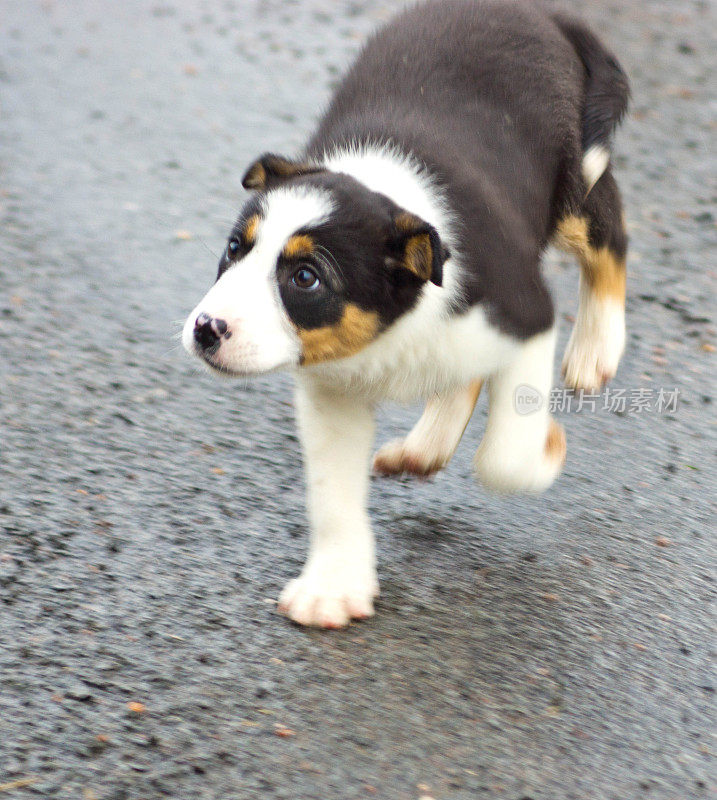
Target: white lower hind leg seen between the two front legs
x,y
434,438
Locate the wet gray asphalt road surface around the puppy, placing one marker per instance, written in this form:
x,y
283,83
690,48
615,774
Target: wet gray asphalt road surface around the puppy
x,y
546,648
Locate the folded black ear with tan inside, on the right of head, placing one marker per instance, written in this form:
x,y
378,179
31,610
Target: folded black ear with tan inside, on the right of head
x,y
416,246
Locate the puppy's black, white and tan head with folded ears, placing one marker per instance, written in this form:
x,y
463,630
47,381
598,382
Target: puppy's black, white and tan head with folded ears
x,y
315,268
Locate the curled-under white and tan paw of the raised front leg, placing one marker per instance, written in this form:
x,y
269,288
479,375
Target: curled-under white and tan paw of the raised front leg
x,y
508,473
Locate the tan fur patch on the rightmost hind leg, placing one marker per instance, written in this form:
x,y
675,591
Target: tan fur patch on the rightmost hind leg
x,y
602,269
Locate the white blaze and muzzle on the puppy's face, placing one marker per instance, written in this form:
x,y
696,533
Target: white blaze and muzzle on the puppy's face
x,y
247,296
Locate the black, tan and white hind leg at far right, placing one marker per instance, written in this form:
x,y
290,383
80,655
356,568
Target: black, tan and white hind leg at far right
x,y
598,239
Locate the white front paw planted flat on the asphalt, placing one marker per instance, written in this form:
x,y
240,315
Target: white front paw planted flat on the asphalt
x,y
329,596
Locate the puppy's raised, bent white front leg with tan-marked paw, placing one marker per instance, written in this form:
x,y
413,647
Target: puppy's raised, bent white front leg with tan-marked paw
x,y
523,449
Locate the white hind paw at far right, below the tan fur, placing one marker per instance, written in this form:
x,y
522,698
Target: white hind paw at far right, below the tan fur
x,y
595,346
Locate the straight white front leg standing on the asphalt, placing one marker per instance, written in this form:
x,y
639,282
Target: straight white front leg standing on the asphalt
x,y
338,581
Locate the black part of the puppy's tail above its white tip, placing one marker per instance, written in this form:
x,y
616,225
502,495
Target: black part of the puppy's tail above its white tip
x,y
606,86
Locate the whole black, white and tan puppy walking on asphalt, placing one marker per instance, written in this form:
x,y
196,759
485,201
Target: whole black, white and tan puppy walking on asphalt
x,y
399,257
